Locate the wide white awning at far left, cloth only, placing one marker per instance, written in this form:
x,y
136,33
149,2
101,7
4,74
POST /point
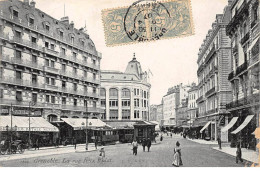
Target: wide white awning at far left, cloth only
x,y
37,124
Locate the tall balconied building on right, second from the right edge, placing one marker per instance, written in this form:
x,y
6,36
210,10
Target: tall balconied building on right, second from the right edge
x,y
214,65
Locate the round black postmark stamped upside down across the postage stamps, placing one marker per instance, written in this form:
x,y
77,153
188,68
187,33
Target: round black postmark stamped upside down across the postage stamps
x,y
146,20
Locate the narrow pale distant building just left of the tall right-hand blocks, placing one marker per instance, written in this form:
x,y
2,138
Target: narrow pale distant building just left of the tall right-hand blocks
x,y
192,104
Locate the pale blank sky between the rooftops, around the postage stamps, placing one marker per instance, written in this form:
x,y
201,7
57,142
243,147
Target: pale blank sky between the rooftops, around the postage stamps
x,y
171,61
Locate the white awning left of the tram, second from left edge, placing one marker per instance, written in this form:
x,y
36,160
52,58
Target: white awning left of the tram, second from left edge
x,y
80,123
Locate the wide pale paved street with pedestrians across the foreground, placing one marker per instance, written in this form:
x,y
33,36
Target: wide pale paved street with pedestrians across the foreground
x,y
193,155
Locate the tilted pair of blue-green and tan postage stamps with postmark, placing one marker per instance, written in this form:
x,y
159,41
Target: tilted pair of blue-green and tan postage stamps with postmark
x,y
147,20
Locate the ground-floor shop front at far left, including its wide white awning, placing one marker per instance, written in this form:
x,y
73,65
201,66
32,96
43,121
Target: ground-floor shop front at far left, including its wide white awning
x,y
28,129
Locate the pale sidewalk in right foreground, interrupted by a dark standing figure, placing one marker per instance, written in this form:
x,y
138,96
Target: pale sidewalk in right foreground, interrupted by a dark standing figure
x,y
248,155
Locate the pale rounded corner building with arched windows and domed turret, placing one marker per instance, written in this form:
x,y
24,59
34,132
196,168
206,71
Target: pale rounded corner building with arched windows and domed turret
x,y
125,96
